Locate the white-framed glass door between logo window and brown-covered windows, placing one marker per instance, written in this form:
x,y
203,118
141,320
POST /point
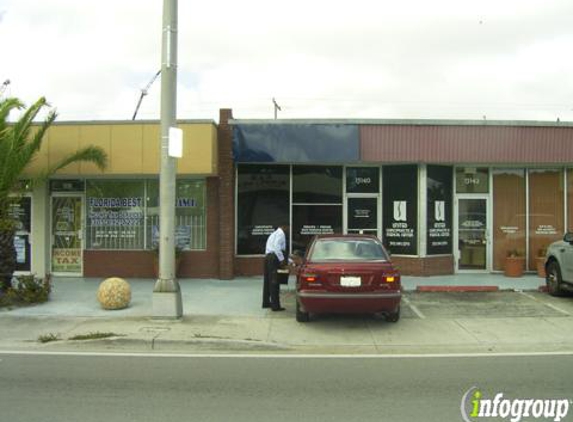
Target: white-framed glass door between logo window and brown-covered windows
x,y
473,242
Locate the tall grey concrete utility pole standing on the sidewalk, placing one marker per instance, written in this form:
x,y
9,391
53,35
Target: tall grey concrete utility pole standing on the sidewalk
x,y
167,301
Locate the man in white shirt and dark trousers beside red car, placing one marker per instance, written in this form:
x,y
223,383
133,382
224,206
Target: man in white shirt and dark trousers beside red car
x,y
275,250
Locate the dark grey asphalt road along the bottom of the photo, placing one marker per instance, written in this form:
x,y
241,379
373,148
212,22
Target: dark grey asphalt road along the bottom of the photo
x,y
84,388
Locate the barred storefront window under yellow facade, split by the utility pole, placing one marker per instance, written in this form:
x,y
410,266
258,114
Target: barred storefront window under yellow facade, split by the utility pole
x,y
190,212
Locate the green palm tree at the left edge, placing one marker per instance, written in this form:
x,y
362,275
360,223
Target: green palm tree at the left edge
x,y
20,141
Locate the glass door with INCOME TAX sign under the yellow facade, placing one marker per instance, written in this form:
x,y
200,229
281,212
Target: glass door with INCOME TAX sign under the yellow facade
x,y
67,235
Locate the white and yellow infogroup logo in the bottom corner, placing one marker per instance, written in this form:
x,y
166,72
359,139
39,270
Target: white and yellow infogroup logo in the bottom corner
x,y
475,406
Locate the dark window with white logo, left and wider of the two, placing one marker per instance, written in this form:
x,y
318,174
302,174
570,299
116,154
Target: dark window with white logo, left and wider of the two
x,y
400,203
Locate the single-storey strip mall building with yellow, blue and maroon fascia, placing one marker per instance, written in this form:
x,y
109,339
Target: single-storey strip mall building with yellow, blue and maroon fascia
x,y
444,196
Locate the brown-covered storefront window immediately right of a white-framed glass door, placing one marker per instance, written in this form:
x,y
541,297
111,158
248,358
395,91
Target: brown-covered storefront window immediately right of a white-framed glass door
x,y
508,214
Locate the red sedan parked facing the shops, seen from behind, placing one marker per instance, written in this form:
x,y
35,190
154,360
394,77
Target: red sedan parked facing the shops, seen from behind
x,y
347,274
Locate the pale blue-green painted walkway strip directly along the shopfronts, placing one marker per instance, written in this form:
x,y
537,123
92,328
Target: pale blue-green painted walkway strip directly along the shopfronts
x,y
76,297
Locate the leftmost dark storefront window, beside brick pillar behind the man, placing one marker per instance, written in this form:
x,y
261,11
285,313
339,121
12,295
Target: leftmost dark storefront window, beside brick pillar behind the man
x,y
262,205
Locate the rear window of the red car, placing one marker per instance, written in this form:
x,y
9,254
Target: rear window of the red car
x,y
347,250
